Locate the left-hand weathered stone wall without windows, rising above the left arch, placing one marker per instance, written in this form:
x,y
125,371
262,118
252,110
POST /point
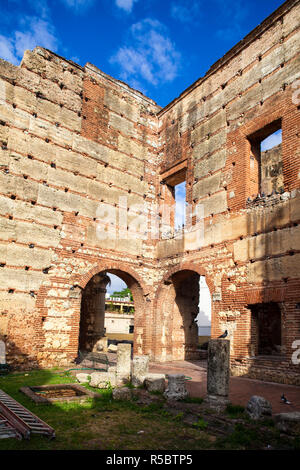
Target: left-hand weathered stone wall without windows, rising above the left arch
x,y
73,141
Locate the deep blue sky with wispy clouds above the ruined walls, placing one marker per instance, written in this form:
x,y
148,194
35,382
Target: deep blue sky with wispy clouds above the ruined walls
x,y
159,47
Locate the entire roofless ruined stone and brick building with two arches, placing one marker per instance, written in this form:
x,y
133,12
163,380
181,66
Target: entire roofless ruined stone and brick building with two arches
x,y
76,145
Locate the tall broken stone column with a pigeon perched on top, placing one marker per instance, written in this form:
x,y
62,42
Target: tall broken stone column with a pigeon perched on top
x,y
218,371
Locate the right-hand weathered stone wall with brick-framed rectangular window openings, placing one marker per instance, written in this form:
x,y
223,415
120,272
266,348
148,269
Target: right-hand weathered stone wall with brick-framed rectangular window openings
x,y
250,249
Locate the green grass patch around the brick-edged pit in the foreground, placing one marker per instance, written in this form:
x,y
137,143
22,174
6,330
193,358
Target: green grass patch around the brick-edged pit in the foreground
x,y
98,423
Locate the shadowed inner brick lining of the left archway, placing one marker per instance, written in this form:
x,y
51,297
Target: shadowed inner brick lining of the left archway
x,y
92,310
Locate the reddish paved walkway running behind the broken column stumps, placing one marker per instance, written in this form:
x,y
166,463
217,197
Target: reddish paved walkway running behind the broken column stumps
x,y
241,389
